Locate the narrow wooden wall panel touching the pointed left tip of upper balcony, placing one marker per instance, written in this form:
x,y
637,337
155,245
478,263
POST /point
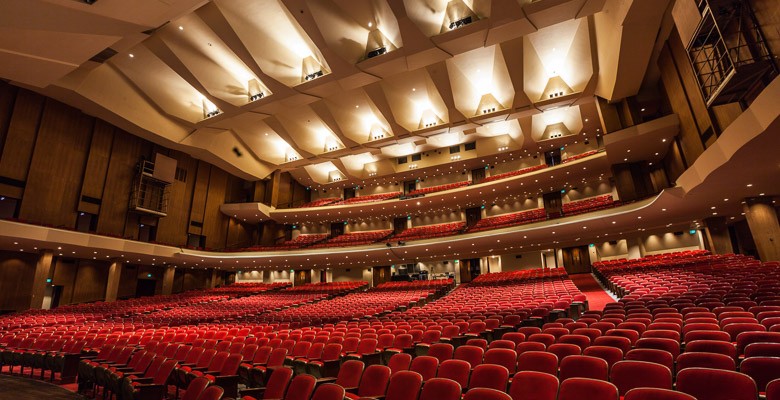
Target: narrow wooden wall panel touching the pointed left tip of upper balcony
x,y
214,221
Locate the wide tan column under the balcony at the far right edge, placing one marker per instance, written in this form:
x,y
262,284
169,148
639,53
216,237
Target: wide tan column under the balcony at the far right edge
x,y
762,220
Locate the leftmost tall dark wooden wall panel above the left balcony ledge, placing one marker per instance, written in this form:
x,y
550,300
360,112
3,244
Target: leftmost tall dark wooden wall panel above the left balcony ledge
x,y
20,139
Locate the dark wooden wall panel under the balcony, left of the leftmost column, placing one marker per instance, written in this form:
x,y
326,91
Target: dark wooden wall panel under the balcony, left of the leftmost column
x,y
16,276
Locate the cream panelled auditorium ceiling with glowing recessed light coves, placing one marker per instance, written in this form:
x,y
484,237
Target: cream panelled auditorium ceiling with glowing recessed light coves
x,y
174,56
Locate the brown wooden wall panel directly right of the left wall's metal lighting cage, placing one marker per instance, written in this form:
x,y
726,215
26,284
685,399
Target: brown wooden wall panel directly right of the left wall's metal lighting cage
x,y
173,228
